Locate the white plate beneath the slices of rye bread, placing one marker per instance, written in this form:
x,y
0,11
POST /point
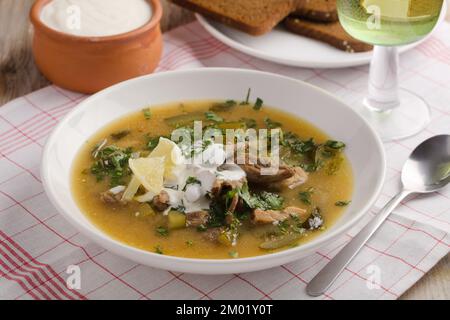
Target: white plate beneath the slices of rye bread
x,y
283,47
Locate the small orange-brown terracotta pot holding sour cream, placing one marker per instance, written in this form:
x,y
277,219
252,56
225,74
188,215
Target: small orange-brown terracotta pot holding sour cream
x,y
90,64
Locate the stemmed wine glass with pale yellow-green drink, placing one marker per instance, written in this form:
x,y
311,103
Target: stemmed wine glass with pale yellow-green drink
x,y
394,113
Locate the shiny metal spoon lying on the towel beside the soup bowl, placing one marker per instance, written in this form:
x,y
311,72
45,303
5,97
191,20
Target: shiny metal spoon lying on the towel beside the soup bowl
x,y
427,170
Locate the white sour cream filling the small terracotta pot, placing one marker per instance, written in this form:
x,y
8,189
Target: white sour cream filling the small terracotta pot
x,y
96,18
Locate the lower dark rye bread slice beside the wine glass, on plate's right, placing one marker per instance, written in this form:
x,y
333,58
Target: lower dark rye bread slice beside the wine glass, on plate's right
x,y
332,33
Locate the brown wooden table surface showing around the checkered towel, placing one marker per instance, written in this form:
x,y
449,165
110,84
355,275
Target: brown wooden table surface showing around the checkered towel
x,y
19,76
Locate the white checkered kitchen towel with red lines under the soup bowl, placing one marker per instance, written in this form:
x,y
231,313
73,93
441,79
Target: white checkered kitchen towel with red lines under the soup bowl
x,y
37,245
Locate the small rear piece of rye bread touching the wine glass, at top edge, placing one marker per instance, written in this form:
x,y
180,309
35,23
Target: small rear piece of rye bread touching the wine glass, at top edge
x,y
317,10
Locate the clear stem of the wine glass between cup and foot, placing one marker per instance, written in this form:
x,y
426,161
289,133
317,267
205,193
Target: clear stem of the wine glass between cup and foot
x,y
383,80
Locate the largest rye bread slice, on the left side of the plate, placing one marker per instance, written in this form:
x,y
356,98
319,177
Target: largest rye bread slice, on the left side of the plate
x,y
255,17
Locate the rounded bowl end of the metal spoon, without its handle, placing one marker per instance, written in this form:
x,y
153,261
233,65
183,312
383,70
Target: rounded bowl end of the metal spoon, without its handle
x,y
428,167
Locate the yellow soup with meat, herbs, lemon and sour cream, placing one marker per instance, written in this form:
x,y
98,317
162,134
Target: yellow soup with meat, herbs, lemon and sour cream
x,y
144,189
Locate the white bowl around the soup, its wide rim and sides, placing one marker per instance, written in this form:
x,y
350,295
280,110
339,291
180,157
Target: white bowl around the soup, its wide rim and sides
x,y
364,151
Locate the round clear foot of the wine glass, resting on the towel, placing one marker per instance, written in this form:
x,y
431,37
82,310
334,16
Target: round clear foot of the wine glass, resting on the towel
x,y
408,118
